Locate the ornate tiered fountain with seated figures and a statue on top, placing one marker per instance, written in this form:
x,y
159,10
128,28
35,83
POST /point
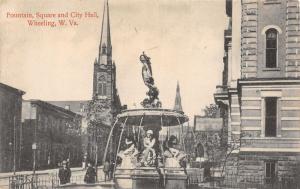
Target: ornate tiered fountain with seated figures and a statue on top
x,y
147,153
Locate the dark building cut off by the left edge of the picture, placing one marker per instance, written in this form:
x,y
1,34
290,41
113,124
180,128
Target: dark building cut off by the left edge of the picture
x,y
10,125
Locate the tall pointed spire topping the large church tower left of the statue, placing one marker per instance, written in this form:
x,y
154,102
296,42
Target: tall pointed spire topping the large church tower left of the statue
x,y
105,48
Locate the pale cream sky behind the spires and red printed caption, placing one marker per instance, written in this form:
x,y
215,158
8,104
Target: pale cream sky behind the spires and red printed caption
x,y
184,39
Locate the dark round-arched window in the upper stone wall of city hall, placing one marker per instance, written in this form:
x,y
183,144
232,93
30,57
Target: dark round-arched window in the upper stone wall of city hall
x,y
271,48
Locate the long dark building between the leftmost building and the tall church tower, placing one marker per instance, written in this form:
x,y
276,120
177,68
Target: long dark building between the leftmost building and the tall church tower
x,y
56,132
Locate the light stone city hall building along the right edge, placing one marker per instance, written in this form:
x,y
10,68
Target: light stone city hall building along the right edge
x,y
260,93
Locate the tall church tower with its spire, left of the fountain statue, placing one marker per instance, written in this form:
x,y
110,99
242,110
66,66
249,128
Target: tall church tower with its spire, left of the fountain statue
x,y
104,81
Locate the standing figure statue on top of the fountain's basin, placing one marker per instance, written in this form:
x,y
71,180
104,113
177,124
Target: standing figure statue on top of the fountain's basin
x,y
152,101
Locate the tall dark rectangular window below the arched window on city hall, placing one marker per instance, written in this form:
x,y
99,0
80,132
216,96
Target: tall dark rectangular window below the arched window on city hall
x,y
271,117
